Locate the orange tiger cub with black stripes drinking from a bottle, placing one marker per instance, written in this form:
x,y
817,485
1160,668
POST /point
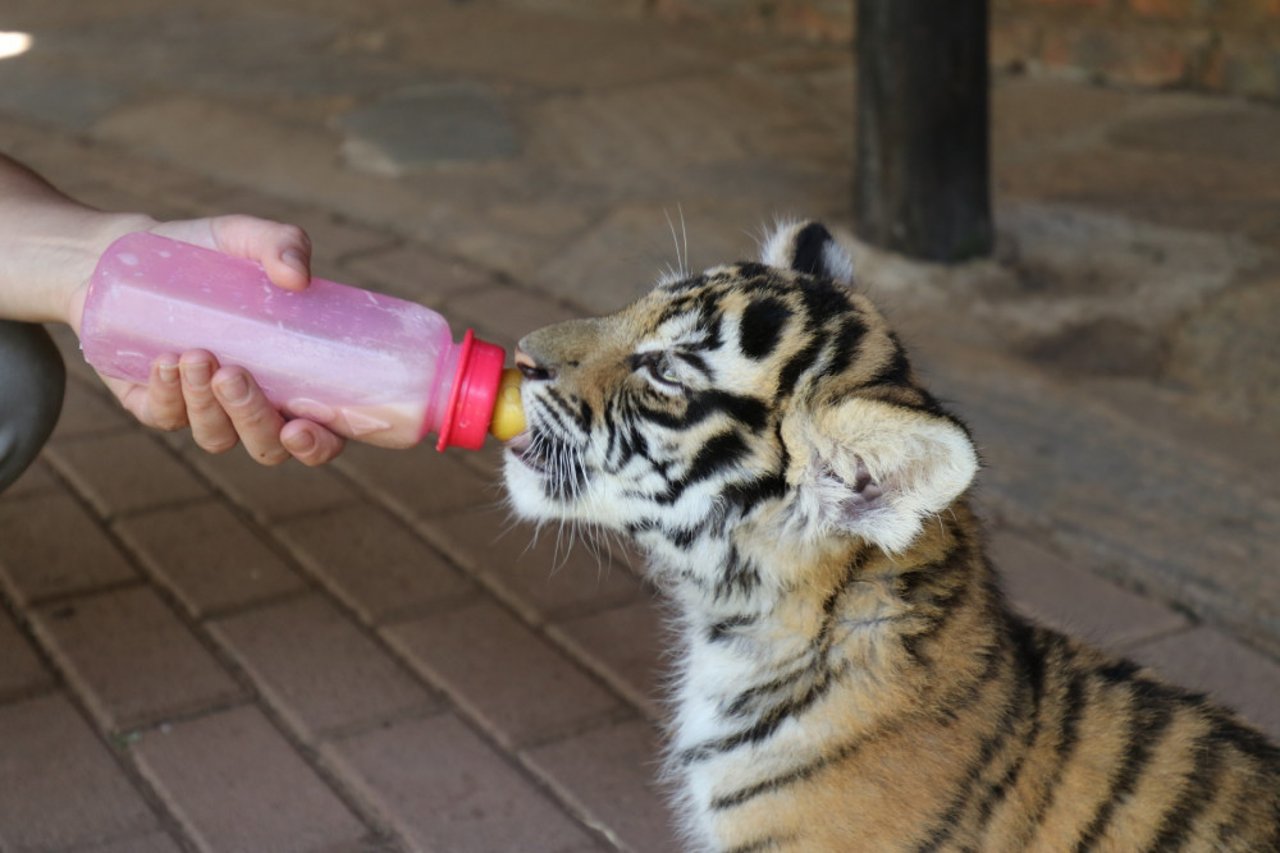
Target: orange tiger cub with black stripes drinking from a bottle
x,y
852,678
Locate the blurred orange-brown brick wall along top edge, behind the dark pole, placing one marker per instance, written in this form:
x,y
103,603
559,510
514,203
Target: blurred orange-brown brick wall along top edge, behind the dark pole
x,y
1229,47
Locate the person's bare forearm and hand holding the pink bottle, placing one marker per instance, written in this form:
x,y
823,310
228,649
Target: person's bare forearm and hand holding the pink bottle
x,y
49,245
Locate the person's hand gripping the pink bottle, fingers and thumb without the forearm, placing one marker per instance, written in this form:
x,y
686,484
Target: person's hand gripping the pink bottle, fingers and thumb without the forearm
x,y
223,405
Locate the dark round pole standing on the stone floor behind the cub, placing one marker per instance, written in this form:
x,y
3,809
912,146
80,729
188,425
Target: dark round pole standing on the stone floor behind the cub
x,y
924,175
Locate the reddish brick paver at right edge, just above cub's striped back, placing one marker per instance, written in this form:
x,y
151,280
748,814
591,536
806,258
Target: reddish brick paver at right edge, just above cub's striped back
x,y
1204,659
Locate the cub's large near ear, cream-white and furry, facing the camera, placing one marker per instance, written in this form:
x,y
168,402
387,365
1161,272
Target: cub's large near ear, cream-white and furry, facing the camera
x,y
880,472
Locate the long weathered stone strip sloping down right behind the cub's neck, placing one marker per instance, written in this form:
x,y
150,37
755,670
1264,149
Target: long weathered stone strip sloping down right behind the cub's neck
x,y
1126,500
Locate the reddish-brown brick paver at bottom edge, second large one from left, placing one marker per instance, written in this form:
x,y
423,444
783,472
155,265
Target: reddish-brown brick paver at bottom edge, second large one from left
x,y
236,784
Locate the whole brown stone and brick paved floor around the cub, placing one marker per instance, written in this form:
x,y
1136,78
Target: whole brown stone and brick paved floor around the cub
x,y
202,655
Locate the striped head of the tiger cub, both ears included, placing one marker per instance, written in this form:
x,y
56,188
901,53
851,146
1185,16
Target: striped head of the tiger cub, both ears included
x,y
739,422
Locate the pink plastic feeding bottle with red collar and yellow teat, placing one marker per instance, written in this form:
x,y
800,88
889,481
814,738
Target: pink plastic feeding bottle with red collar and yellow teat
x,y
368,367
